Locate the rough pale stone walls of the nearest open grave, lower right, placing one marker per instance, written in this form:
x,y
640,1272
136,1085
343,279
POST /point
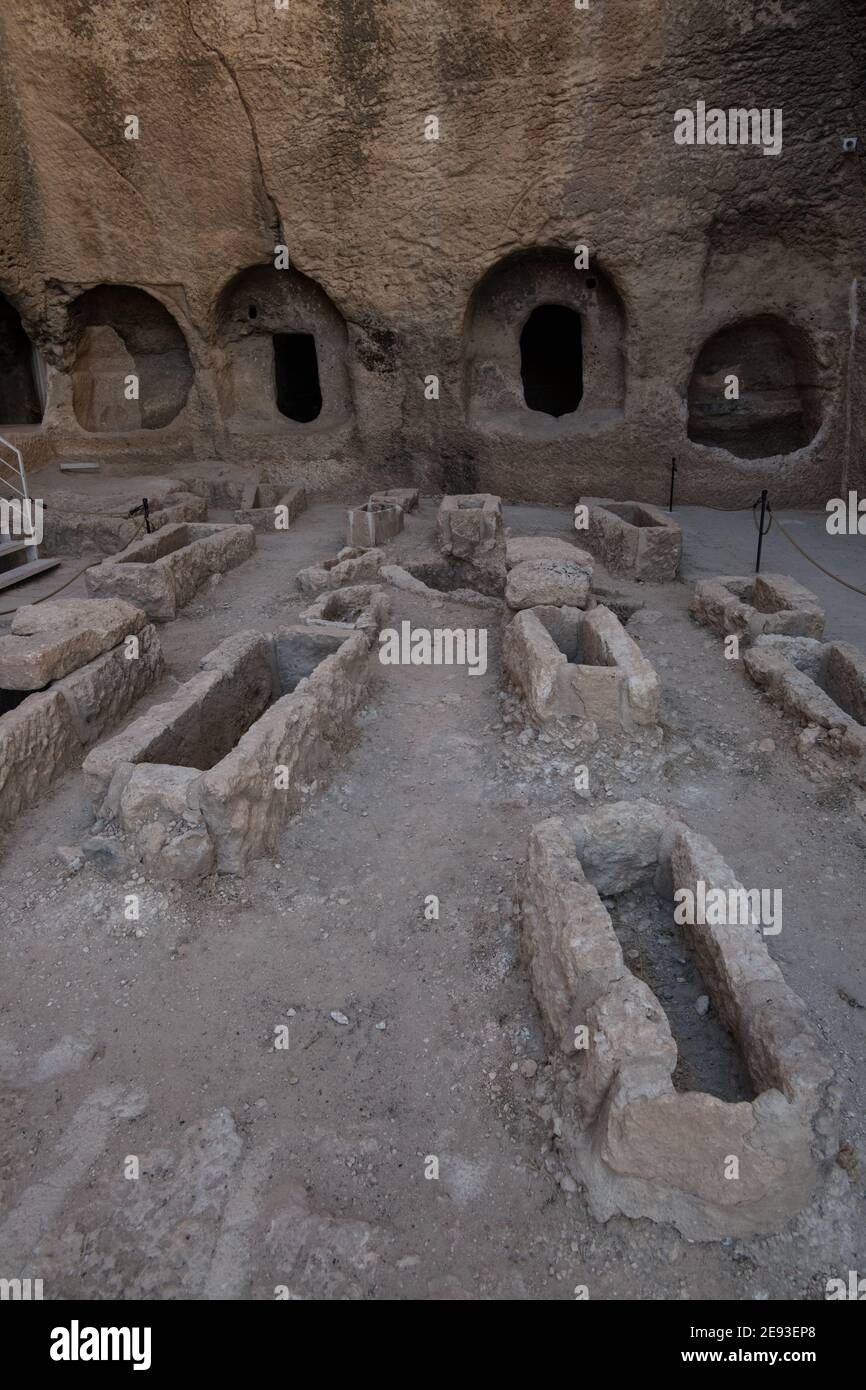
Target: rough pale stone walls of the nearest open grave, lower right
x,y
639,1146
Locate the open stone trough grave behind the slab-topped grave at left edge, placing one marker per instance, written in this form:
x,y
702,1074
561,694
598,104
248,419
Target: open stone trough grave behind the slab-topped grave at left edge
x,y
161,573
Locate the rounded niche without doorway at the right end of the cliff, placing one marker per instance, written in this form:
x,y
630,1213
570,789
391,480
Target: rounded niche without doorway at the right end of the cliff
x,y
772,408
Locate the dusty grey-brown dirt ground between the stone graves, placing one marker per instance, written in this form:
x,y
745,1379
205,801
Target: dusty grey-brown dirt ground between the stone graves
x,y
304,1170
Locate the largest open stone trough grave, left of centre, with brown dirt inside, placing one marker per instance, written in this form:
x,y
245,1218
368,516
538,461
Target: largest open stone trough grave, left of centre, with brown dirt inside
x,y
206,782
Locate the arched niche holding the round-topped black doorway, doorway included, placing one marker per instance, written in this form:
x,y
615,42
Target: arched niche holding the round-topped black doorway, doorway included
x,y
544,347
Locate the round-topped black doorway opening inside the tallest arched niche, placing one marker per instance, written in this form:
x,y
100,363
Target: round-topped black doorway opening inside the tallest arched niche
x,y
551,361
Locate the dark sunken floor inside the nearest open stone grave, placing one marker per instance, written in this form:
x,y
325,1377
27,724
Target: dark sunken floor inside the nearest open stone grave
x,y
655,951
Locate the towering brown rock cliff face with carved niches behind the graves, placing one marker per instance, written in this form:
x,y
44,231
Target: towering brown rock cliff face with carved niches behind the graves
x,y
309,124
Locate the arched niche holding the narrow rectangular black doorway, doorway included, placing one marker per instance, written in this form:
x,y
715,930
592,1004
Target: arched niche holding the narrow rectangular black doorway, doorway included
x,y
284,354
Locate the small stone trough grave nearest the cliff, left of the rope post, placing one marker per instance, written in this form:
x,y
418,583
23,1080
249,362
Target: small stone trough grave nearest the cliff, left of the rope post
x,y
635,539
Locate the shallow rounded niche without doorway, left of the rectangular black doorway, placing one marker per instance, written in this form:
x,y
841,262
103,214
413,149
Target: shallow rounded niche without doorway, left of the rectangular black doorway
x,y
122,333
